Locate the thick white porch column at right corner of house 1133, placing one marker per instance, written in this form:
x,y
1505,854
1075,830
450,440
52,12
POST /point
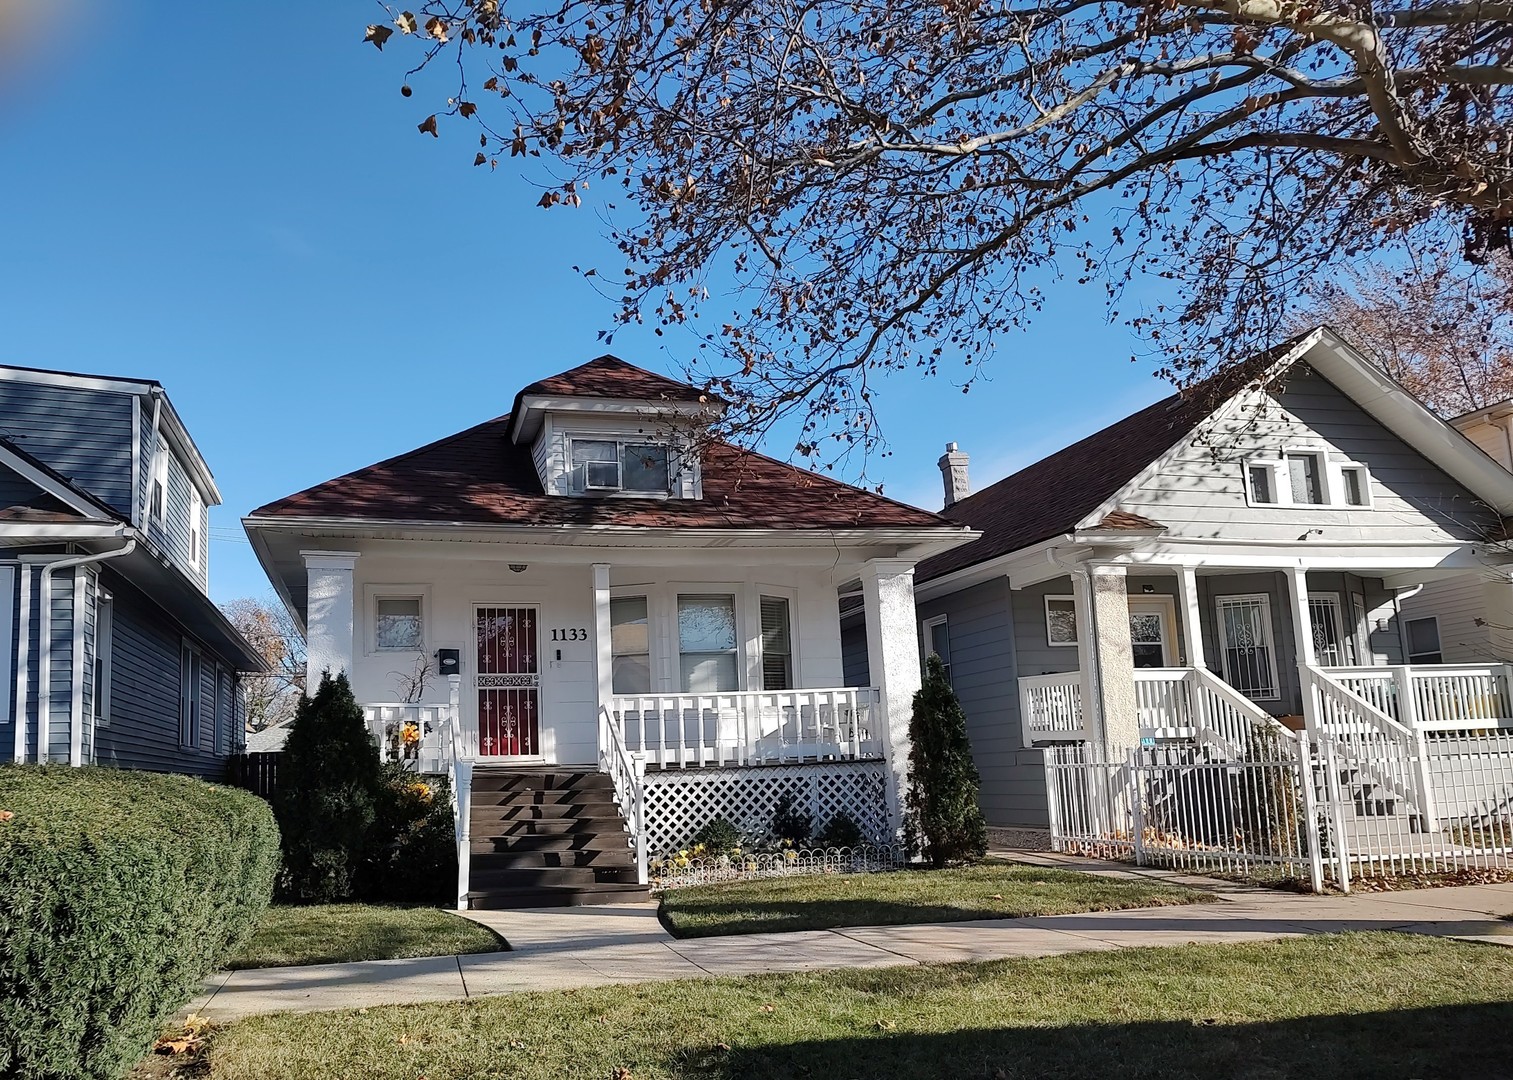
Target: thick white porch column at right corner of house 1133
x,y
893,657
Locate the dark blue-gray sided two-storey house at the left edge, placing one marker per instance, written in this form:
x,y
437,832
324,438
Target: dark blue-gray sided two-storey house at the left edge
x,y
114,653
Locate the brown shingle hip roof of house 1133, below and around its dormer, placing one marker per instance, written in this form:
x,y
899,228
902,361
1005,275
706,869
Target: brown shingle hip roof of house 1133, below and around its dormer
x,y
482,477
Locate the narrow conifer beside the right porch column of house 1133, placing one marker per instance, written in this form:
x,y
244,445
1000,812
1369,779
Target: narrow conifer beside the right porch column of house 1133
x,y
942,816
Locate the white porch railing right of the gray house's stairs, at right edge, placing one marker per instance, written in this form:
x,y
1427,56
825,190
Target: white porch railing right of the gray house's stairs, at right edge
x,y
1437,697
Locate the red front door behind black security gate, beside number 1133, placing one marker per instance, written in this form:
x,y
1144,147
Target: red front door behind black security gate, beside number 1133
x,y
509,683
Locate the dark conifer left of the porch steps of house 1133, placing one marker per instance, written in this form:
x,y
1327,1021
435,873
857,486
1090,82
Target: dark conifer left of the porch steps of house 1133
x,y
329,786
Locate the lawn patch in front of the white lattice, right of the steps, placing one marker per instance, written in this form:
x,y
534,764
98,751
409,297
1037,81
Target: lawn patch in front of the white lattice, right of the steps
x,y
989,890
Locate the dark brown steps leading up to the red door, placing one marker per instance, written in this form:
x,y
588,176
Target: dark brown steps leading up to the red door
x,y
548,839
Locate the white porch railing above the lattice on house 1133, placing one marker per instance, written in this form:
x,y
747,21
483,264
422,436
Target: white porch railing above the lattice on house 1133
x,y
753,728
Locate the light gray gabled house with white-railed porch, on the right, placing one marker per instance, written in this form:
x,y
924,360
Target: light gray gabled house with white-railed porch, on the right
x,y
1161,569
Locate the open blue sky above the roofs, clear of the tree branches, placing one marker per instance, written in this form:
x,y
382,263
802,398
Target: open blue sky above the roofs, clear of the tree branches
x,y
237,202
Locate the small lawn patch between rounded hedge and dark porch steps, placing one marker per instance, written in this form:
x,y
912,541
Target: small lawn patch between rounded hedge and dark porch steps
x,y
340,933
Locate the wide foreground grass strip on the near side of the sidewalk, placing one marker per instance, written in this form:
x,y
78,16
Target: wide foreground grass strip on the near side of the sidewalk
x,y
1364,1005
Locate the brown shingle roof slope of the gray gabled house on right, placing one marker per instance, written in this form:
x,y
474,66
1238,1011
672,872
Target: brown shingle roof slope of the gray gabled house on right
x,y
1054,495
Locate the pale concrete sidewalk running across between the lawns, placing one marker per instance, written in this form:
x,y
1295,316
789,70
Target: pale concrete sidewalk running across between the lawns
x,y
570,948
